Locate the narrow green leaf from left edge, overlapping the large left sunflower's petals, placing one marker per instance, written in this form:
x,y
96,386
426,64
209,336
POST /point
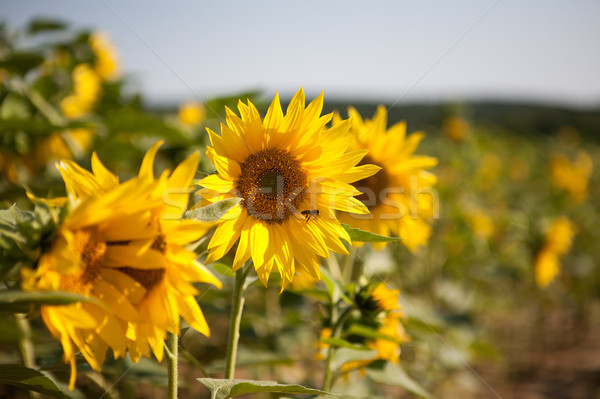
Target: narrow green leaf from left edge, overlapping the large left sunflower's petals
x,y
19,301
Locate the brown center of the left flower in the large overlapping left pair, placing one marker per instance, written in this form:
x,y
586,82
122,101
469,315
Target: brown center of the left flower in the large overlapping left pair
x,y
87,243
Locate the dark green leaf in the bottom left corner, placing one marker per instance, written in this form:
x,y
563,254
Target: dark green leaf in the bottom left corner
x,y
29,379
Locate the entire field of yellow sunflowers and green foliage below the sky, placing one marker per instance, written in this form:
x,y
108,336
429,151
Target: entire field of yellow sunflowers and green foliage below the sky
x,y
257,246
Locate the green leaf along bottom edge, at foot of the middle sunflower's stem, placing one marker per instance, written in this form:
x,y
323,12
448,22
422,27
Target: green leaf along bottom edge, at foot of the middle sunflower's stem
x,y
223,389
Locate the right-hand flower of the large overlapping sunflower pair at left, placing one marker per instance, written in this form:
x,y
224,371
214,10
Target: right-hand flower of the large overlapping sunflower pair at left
x,y
168,282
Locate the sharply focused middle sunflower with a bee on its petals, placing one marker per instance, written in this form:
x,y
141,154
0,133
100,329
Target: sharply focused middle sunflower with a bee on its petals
x,y
291,173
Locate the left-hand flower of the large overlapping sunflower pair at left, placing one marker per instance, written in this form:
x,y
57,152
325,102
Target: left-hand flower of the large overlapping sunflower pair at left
x,y
94,235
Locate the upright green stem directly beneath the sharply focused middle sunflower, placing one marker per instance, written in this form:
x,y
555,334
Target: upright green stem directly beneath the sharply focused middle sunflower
x,y
236,318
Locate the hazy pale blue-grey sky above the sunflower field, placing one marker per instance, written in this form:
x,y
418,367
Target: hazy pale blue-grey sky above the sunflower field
x,y
546,50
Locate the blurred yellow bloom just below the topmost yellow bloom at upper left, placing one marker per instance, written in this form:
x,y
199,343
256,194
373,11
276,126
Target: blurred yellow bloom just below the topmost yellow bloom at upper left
x,y
86,90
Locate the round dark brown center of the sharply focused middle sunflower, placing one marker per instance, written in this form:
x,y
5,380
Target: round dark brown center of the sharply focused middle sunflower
x,y
272,185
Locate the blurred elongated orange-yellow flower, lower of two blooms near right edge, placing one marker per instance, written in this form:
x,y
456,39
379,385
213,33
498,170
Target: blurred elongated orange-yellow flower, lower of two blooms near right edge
x,y
559,239
